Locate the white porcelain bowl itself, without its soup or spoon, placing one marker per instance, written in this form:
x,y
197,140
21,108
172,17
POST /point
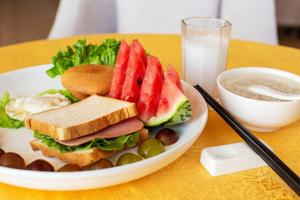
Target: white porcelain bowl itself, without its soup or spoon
x,y
258,115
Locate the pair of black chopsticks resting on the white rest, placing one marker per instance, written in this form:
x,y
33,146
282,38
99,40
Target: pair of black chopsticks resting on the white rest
x,y
290,177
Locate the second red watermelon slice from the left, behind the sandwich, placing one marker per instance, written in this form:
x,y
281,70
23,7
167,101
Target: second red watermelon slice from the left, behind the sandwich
x,y
134,77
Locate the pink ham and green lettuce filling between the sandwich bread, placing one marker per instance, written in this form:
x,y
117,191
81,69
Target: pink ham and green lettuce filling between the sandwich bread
x,y
113,138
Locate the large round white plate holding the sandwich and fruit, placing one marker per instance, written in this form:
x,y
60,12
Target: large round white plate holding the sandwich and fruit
x,y
31,81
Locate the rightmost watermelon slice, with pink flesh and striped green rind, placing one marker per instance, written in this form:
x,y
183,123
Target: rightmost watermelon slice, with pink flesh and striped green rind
x,y
174,107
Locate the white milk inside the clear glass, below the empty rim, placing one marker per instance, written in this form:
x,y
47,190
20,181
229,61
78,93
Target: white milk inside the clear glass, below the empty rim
x,y
205,58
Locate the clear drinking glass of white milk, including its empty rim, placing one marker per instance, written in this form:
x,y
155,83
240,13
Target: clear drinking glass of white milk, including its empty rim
x,y
205,44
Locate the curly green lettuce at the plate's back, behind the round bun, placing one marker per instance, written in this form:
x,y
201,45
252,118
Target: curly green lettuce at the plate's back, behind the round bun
x,y
82,53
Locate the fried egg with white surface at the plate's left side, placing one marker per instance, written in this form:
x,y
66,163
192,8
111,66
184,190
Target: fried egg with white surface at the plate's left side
x,y
21,107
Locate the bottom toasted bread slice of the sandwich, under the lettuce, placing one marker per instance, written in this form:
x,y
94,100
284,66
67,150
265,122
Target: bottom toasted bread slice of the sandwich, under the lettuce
x,y
81,158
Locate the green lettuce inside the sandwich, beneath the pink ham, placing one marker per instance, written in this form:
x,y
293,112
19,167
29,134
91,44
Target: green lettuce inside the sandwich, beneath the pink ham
x,y
115,144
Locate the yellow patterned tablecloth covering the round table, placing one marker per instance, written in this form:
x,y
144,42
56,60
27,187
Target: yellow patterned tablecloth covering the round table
x,y
185,178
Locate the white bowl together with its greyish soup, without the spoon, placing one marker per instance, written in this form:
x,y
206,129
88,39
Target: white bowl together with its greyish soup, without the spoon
x,y
259,112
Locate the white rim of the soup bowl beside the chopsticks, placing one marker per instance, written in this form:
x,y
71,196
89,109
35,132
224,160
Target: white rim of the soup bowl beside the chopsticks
x,y
262,70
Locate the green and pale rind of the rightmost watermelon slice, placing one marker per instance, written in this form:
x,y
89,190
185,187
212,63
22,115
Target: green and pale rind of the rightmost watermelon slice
x,y
180,113
